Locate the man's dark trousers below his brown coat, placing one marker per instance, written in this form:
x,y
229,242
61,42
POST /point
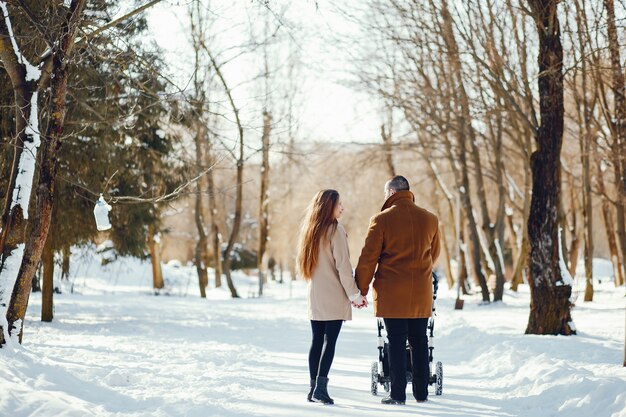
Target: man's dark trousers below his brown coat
x,y
398,330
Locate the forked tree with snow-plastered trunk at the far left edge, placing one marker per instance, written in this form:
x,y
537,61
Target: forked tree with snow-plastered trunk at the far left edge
x,y
28,81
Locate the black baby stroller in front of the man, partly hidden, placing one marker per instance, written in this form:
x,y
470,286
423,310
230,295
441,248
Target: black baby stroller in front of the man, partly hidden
x,y
380,369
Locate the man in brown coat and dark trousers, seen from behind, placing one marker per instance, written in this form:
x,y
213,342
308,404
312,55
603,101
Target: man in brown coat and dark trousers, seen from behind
x,y
403,240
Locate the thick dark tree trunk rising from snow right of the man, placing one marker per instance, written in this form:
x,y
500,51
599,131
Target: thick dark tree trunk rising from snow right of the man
x,y
550,307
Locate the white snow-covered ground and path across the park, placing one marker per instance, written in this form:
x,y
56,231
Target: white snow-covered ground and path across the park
x,y
115,349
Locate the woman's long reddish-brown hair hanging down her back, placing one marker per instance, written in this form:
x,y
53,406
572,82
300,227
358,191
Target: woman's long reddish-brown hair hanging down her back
x,y
319,219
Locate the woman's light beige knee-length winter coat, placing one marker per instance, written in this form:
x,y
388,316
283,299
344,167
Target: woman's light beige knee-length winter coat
x,y
332,283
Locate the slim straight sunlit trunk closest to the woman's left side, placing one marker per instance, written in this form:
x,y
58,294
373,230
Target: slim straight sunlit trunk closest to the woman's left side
x,y
264,200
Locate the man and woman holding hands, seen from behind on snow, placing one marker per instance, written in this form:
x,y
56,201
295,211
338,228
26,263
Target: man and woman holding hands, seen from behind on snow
x,y
400,249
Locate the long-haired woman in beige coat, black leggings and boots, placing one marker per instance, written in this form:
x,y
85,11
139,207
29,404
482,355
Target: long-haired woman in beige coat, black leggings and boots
x,y
324,260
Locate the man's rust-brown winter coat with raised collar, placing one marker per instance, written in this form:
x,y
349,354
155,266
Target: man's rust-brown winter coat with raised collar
x,y
403,240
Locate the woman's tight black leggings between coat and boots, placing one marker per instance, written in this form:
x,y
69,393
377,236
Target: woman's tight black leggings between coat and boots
x,y
322,351
